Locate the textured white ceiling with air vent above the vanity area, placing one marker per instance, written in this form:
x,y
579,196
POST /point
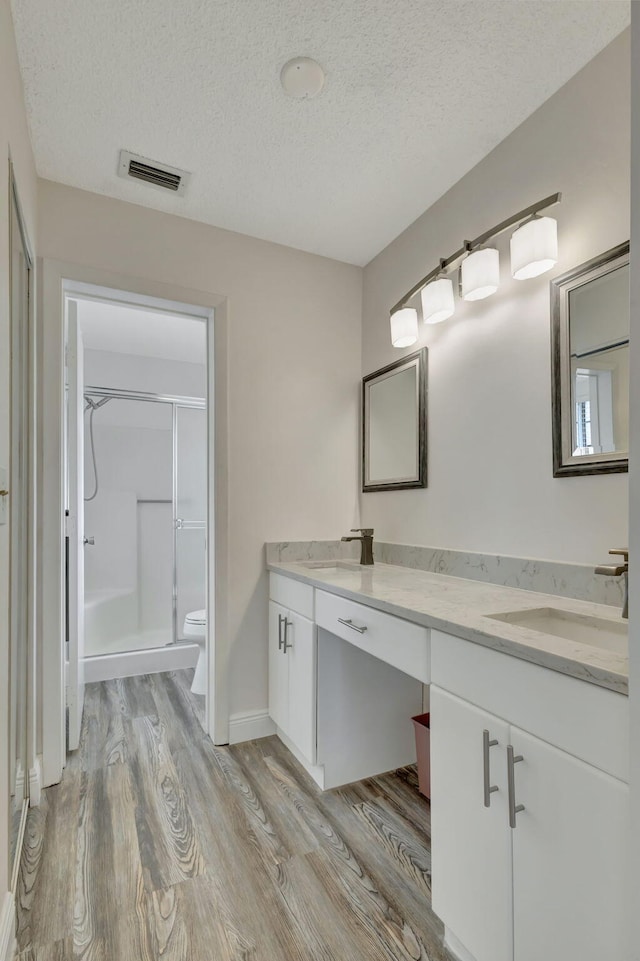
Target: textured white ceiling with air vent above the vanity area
x,y
417,92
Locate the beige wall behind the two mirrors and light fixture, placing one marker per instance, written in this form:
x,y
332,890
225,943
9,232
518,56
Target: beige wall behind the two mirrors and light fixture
x,y
490,468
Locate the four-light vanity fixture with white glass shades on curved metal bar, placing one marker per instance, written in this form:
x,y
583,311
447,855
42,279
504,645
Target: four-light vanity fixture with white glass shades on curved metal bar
x,y
534,249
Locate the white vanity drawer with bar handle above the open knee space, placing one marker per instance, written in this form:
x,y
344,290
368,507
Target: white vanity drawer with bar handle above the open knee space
x,y
391,639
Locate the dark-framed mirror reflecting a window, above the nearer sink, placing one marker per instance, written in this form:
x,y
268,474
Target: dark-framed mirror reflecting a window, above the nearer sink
x,y
590,366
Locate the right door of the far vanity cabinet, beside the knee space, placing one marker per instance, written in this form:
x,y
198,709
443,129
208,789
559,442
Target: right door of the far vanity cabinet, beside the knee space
x,y
301,655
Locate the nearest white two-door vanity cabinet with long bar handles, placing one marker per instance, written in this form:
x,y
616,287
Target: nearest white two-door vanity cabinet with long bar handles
x,y
533,868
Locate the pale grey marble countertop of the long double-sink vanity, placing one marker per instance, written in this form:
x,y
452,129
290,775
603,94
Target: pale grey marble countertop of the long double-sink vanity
x,y
459,606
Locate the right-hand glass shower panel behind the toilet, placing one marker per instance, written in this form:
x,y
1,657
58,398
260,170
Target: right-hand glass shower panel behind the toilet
x,y
190,506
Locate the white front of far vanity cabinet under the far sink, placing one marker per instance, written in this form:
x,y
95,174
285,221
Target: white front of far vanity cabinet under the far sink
x,y
293,667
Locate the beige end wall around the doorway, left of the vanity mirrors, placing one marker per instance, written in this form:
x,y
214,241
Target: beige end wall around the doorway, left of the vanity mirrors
x,y
293,370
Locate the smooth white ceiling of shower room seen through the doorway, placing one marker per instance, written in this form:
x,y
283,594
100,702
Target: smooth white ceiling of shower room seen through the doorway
x,y
132,330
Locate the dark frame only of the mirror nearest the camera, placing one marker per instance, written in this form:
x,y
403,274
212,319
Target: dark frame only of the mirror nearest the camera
x,y
564,463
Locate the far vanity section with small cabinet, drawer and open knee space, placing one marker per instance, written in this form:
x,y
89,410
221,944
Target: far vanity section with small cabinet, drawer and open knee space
x,y
344,682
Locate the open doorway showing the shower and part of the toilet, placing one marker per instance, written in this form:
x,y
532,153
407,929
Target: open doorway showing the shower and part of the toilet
x,y
136,491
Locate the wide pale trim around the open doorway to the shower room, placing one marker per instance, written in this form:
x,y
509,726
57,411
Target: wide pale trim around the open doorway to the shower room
x,y
58,281
